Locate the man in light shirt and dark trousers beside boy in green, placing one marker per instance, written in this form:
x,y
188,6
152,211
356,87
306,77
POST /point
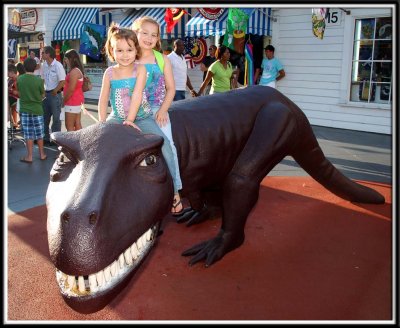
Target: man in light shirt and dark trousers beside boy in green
x,y
53,74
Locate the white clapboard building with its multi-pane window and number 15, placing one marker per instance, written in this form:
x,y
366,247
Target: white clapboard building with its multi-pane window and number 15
x,y
344,79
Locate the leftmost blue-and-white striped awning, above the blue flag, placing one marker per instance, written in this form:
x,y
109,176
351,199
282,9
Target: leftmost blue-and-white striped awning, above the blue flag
x,y
71,21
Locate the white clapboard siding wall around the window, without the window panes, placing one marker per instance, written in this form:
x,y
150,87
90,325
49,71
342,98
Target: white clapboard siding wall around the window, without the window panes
x,y
318,71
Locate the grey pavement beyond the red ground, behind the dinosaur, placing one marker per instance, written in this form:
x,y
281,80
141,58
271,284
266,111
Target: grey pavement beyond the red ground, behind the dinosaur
x,y
358,155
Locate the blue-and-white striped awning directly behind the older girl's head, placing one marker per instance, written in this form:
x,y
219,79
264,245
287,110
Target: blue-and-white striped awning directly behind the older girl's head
x,y
158,14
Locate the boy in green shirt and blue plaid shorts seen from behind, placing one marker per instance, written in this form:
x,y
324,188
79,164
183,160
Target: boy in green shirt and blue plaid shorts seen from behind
x,y
31,93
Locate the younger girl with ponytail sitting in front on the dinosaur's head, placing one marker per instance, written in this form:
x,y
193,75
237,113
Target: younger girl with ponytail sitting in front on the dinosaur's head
x,y
124,85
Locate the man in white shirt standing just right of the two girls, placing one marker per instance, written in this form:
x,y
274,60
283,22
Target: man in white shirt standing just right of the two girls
x,y
179,69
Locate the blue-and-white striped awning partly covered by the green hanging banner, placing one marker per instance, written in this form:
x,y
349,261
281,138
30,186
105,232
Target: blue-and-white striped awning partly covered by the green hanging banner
x,y
259,23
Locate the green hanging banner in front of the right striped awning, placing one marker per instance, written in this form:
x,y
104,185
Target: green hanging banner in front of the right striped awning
x,y
236,27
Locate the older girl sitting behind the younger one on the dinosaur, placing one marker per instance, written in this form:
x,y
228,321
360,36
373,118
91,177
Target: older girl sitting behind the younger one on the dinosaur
x,y
160,88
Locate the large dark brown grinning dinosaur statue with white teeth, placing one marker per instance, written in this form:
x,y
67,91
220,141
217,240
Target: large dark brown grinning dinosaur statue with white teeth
x,y
110,187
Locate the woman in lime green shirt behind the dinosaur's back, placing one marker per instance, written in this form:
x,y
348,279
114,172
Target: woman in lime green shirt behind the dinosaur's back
x,y
220,73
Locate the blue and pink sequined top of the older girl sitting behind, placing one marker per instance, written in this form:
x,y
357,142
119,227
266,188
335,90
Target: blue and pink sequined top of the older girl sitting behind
x,y
155,85
